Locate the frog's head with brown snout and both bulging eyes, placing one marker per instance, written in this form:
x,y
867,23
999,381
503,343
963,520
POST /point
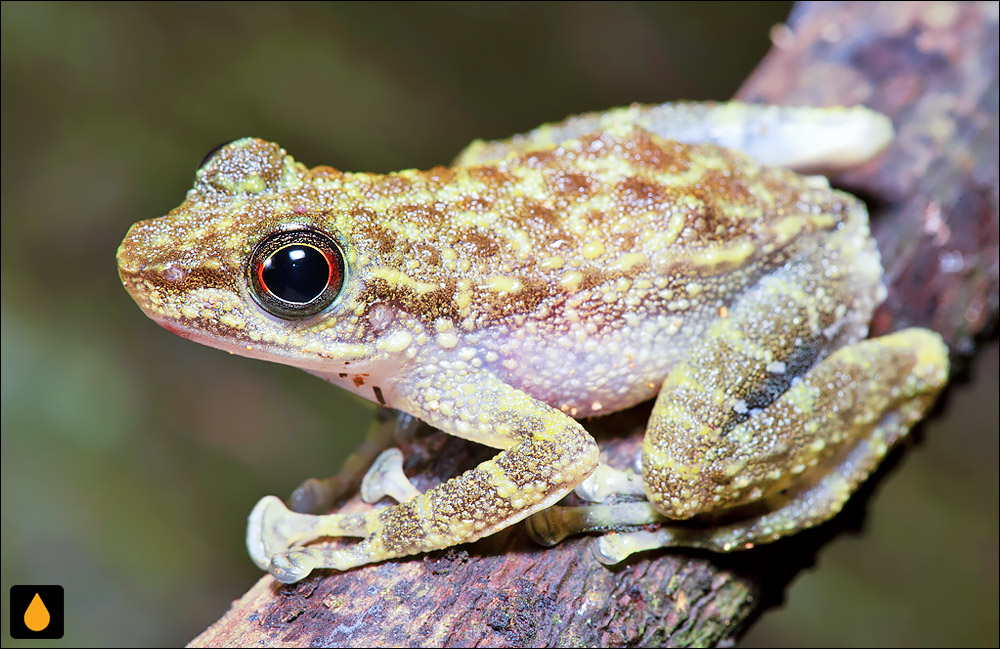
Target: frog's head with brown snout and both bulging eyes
x,y
250,264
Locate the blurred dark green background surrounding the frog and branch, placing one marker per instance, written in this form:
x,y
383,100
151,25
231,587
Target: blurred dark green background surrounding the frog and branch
x,y
131,457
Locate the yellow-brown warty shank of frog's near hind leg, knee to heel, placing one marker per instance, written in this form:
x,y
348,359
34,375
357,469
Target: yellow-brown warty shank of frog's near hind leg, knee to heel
x,y
874,389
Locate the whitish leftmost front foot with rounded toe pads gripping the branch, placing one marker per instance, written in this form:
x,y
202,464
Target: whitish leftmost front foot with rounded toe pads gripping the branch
x,y
272,529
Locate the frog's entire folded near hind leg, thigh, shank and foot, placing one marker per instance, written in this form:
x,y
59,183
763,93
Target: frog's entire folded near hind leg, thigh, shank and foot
x,y
777,407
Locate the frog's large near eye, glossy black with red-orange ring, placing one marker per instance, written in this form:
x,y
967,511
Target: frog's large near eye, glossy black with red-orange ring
x,y
297,273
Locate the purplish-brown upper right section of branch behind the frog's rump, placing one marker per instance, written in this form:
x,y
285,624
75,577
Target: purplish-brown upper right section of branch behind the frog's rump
x,y
932,68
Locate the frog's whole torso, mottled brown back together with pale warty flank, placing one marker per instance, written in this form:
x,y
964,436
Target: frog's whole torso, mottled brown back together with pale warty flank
x,y
581,272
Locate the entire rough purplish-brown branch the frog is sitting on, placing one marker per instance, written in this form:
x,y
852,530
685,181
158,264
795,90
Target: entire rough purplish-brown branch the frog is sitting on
x,y
933,69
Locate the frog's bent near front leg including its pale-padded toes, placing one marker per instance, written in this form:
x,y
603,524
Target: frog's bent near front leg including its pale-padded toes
x,y
545,454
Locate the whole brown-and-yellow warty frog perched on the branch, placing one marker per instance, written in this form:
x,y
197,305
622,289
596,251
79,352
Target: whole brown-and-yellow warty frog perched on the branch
x,y
682,252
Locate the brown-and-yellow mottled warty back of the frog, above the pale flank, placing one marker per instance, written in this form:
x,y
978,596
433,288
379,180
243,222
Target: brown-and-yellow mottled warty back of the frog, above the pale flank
x,y
579,224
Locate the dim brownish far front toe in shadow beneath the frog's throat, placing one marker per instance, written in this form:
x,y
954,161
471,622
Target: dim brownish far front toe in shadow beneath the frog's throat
x,y
320,495
